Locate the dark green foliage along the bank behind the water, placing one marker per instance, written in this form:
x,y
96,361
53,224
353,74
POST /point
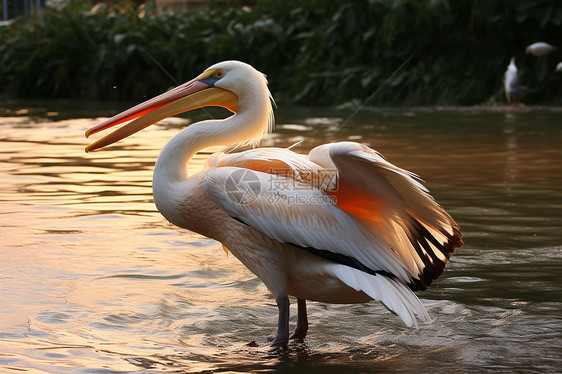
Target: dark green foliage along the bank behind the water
x,y
410,52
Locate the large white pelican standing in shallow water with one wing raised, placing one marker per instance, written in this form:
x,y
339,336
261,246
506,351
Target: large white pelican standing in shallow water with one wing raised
x,y
341,225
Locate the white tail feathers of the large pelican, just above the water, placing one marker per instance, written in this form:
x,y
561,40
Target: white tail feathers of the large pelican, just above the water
x,y
395,295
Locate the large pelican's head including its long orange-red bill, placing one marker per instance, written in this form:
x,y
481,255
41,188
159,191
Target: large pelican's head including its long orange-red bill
x,y
233,85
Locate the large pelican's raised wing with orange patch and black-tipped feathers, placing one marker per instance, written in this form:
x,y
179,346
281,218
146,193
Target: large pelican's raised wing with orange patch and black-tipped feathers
x,y
394,206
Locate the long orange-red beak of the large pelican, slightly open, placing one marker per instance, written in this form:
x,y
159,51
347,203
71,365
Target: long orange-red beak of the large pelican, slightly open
x,y
188,96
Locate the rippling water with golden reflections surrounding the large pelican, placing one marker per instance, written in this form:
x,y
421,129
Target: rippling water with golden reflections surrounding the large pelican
x,y
94,280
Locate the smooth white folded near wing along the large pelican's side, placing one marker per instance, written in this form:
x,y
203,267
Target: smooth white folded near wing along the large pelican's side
x,y
303,216
